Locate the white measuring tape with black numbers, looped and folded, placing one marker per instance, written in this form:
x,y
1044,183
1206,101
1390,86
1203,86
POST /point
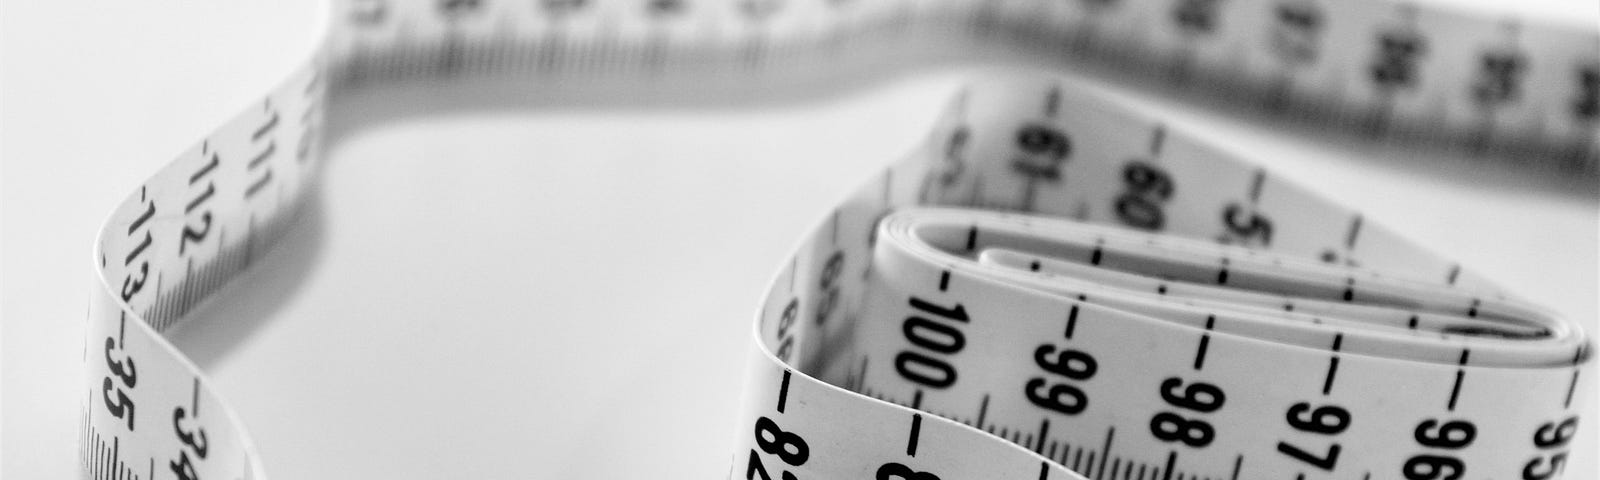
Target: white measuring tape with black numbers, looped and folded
x,y
1052,287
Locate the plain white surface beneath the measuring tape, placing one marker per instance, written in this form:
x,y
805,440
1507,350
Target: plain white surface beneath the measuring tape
x,y
521,295
